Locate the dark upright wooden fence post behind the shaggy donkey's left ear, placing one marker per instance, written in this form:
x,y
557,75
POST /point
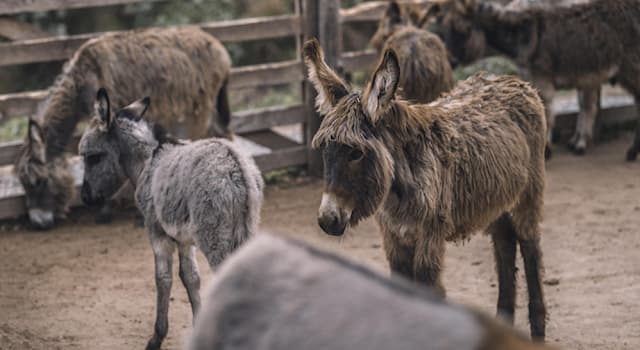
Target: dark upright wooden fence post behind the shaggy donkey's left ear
x,y
322,21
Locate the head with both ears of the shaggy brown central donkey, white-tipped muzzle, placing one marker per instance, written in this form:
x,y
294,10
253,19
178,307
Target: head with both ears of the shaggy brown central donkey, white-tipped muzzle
x,y
358,166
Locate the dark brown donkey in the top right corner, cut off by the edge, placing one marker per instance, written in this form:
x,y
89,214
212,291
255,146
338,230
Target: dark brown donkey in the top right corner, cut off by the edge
x,y
580,46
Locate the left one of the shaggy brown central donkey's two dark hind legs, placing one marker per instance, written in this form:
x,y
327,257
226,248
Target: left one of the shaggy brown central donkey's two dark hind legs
x,y
504,249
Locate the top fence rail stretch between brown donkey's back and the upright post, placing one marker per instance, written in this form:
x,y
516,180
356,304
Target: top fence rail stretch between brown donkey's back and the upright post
x,y
254,28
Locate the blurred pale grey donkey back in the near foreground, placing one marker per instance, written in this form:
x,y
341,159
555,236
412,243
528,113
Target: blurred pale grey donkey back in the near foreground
x,y
297,307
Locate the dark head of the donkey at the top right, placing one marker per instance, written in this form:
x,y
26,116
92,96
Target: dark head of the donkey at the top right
x,y
455,21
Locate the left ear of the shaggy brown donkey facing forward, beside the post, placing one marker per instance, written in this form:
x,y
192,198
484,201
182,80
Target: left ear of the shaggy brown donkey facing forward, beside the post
x,y
328,85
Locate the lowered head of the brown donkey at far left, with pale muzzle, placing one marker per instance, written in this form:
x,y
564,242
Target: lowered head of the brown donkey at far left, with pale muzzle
x,y
48,183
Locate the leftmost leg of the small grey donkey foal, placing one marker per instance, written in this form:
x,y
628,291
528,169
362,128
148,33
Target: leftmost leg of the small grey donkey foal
x,y
163,247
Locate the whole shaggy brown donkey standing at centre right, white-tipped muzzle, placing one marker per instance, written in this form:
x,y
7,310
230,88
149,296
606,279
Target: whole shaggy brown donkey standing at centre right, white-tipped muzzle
x,y
436,172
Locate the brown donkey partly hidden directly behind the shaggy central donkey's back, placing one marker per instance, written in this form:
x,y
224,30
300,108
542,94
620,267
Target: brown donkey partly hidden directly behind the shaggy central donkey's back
x,y
425,69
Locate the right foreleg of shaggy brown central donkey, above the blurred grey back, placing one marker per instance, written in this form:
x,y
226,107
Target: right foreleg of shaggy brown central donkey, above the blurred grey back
x,y
428,261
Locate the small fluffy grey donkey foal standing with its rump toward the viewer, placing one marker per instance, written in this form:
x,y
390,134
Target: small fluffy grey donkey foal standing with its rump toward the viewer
x,y
206,193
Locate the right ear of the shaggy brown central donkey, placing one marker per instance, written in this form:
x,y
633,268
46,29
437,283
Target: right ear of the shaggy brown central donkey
x,y
382,87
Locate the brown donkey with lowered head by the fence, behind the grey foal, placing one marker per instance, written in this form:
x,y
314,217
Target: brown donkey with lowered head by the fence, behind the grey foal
x,y
184,69
